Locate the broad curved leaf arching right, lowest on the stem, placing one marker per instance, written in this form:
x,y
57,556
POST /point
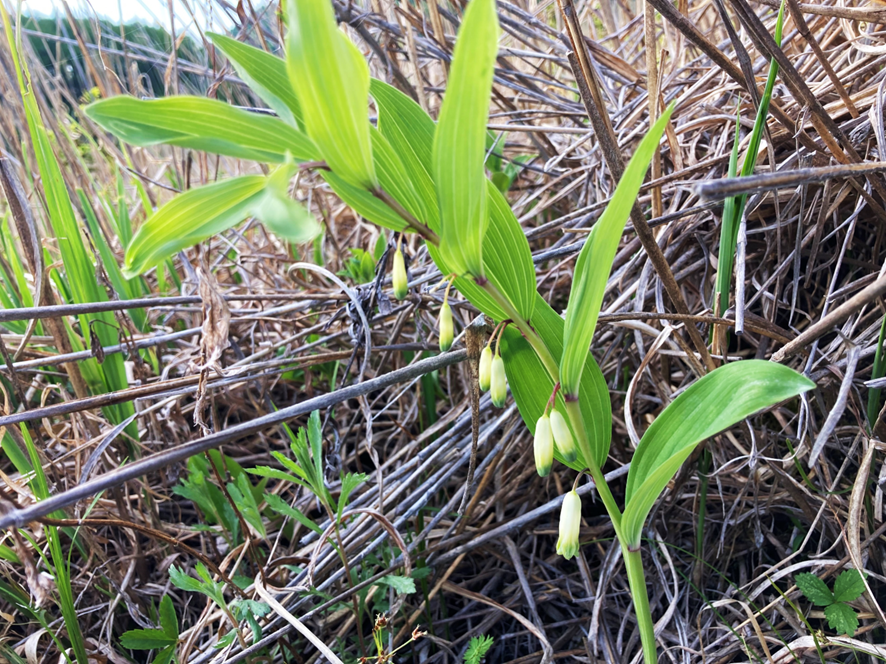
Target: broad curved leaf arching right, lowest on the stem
x,y
713,403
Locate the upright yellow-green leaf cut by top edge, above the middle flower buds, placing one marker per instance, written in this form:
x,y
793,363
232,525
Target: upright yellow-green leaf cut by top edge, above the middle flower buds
x,y
460,141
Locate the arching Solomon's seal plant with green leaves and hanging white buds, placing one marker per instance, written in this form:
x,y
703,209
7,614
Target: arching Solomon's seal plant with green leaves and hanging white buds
x,y
410,174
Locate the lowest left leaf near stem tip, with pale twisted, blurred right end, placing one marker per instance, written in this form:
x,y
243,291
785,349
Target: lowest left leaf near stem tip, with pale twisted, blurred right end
x,y
205,211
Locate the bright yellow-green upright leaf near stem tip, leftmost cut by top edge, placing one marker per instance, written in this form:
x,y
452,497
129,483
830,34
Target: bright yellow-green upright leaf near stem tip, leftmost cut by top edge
x,y
331,81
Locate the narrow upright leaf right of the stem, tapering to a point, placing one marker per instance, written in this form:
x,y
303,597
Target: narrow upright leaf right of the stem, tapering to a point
x,y
595,261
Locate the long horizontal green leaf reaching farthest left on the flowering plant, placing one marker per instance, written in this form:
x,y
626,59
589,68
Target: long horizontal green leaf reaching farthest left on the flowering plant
x,y
204,124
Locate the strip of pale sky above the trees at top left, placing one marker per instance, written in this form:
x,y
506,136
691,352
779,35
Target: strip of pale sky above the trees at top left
x,y
208,15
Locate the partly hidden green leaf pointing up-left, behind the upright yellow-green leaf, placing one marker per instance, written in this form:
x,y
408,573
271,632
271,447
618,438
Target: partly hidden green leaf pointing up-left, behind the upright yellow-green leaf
x,y
264,73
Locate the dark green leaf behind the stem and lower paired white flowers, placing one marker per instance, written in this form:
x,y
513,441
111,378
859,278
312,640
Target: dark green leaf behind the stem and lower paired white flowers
x,y
532,386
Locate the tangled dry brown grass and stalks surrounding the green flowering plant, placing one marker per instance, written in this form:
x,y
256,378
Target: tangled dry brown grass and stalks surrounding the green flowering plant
x,y
229,333
